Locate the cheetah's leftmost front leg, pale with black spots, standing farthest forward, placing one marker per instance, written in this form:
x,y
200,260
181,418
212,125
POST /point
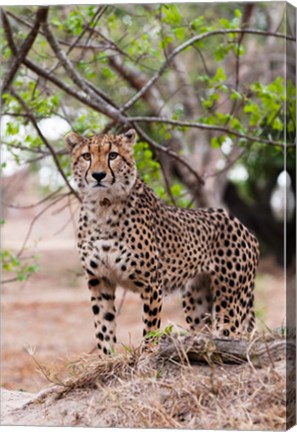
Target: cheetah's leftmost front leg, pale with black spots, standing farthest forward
x,y
102,298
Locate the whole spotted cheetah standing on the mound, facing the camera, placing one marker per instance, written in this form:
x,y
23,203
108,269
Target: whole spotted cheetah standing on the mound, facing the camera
x,y
128,237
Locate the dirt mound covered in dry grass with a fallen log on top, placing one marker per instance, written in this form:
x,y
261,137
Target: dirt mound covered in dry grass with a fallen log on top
x,y
181,382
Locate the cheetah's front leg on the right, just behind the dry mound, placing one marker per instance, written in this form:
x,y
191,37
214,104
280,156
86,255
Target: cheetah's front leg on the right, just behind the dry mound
x,y
152,306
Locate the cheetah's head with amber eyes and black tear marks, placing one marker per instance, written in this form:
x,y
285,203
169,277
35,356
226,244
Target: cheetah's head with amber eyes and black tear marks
x,y
103,164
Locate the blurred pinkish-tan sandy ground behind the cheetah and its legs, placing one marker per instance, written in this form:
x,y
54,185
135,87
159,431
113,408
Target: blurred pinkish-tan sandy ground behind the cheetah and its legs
x,y
50,315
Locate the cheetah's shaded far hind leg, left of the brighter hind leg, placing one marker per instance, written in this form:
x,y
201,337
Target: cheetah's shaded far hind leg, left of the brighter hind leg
x,y
197,301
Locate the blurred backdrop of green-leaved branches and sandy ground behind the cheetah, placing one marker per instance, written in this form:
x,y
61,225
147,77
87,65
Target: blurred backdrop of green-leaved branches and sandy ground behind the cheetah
x,y
209,89
